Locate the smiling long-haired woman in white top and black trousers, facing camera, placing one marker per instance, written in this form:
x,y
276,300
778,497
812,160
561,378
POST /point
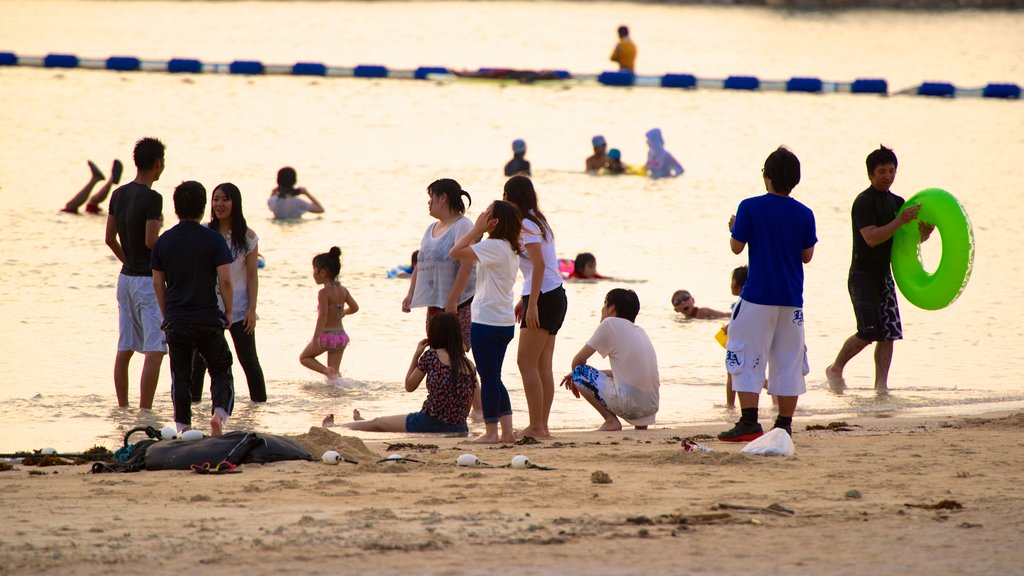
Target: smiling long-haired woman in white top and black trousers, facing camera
x,y
227,218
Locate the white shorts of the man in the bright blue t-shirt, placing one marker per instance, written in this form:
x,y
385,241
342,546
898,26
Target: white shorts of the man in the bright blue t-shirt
x,y
760,337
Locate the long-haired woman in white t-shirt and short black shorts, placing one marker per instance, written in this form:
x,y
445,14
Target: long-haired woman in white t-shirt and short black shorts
x,y
542,309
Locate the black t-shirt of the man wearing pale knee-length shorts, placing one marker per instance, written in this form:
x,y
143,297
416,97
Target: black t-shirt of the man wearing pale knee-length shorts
x,y
134,205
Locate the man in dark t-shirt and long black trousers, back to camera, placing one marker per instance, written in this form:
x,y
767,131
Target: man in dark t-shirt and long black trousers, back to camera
x,y
190,262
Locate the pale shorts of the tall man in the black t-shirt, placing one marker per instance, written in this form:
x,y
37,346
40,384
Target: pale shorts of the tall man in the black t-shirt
x,y
139,316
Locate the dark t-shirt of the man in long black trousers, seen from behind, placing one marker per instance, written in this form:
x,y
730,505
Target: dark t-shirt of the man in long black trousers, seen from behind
x,y
189,256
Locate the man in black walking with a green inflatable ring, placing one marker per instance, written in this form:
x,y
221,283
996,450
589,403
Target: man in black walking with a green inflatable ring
x,y
876,219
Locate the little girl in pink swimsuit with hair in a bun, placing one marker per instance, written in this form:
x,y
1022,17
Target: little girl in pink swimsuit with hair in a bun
x,y
334,303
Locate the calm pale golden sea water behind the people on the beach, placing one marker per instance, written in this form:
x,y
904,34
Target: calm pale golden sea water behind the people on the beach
x,y
368,149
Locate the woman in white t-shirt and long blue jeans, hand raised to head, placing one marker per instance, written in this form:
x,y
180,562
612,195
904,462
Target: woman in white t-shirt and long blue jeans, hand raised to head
x,y
494,309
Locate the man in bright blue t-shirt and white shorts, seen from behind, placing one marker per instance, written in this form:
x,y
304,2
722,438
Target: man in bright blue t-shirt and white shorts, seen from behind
x,y
767,325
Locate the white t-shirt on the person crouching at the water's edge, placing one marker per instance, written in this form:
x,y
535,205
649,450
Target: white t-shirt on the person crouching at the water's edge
x,y
634,364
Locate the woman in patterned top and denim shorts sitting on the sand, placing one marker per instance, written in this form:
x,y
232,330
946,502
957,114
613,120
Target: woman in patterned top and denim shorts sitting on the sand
x,y
451,383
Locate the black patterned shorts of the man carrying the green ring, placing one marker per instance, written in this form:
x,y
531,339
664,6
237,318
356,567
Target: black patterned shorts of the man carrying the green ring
x,y
874,298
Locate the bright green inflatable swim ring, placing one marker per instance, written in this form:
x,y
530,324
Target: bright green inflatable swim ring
x,y
942,289
